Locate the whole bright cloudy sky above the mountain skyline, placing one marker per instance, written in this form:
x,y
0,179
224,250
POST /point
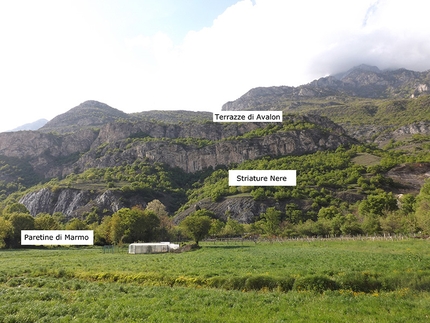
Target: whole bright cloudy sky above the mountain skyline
x,y
190,54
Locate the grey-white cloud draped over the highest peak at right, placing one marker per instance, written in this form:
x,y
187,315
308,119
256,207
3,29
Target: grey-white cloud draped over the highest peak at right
x,y
394,35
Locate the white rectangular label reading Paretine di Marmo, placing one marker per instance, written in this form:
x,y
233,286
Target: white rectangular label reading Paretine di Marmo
x,y
57,237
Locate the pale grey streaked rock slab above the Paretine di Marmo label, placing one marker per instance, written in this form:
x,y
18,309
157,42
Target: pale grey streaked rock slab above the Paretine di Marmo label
x,y
75,203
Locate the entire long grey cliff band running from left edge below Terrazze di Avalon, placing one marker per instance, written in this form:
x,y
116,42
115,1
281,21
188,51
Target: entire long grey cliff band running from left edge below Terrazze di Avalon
x,y
57,155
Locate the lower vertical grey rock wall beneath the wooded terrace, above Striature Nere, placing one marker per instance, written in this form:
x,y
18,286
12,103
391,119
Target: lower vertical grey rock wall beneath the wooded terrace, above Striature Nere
x,y
192,158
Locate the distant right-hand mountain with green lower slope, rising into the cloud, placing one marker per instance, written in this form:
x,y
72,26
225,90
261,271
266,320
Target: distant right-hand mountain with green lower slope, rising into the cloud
x,y
367,102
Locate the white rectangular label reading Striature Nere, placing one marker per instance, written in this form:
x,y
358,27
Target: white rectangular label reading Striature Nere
x,y
262,177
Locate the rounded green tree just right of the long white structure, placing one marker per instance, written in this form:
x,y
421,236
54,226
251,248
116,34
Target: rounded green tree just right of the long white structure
x,y
198,224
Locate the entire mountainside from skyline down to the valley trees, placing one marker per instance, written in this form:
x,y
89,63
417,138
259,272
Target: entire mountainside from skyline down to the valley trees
x,y
97,159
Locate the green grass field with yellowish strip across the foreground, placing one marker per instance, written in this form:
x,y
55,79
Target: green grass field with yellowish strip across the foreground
x,y
292,281
